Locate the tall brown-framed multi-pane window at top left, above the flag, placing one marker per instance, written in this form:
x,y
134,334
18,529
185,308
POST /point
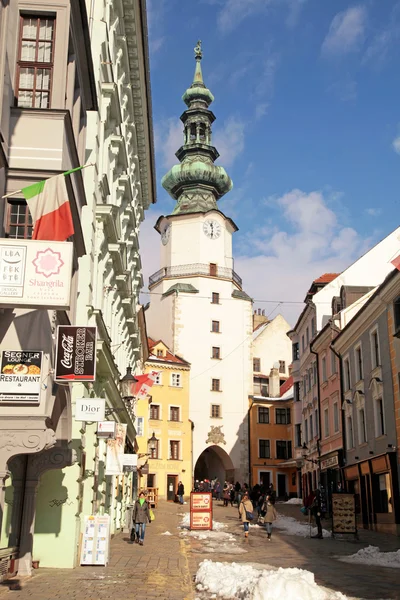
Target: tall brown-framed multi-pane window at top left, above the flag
x,y
35,61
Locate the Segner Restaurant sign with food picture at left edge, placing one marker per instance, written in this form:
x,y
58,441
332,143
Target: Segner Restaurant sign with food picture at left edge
x,y
20,376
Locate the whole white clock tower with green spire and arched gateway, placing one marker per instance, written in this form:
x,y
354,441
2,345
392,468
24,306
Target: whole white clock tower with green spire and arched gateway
x,y
198,307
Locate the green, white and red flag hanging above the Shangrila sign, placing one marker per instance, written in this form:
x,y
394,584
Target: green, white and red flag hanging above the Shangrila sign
x,y
49,206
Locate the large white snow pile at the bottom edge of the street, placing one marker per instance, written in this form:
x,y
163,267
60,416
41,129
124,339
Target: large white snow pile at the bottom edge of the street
x,y
240,581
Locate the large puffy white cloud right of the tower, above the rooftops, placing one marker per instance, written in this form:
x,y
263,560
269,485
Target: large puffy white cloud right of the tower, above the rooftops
x,y
279,263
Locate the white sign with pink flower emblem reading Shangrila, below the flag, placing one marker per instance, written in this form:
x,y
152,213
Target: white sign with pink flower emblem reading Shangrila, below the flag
x,y
35,273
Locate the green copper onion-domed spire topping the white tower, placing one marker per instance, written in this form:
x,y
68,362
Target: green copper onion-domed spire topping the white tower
x,y
197,183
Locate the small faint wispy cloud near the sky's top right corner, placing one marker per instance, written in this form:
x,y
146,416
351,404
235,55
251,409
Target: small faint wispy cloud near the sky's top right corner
x,y
346,32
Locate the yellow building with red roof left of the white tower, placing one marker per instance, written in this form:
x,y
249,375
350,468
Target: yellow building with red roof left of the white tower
x,y
167,416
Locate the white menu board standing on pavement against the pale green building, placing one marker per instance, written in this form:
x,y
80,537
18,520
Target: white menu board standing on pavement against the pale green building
x,y
96,540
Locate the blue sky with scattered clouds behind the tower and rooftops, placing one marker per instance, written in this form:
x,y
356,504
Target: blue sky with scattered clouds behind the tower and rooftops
x,y
307,100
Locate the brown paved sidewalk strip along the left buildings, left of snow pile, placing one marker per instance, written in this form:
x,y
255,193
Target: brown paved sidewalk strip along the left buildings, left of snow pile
x,y
159,569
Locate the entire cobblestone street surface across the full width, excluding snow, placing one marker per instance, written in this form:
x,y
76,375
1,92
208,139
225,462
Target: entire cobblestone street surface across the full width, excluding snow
x,y
166,565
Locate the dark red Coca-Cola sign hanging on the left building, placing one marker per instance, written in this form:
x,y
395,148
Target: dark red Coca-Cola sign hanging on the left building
x,y
76,353
